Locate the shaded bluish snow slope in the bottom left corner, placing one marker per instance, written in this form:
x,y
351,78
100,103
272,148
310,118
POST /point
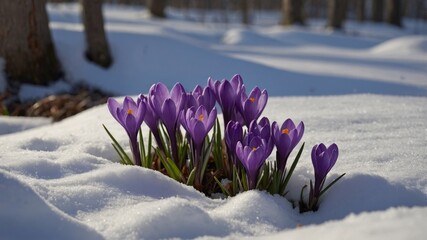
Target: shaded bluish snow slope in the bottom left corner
x,y
25,215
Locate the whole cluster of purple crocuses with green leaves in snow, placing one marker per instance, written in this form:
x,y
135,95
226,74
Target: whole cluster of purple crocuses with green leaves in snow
x,y
209,162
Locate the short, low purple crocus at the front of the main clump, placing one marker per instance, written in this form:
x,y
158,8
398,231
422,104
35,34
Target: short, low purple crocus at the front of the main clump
x,y
252,156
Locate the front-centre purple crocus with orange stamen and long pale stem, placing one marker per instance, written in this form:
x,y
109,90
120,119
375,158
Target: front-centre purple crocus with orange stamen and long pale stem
x,y
198,122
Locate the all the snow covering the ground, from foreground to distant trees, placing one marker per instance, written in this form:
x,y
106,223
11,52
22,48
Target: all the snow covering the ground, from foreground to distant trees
x,y
63,180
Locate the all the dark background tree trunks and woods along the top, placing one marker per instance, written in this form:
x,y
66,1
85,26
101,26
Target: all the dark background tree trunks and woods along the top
x,y
29,53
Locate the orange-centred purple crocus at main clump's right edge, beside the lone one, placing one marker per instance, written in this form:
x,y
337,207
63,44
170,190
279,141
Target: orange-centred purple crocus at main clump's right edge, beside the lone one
x,y
286,138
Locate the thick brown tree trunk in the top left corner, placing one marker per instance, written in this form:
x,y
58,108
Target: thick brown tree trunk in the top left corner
x,y
26,43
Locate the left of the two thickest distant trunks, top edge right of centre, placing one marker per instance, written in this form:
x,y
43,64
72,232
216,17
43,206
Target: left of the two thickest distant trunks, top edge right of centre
x,y
293,12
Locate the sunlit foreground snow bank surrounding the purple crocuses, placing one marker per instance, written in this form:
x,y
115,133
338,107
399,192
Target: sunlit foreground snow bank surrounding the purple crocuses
x,y
69,171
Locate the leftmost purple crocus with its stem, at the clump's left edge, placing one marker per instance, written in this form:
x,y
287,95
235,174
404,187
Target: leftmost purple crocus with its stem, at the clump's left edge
x,y
130,115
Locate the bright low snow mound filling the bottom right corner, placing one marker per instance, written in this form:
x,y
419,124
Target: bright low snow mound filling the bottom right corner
x,y
395,223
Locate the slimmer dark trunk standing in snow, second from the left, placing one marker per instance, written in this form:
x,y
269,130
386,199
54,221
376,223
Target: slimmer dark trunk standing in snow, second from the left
x,y
97,49
